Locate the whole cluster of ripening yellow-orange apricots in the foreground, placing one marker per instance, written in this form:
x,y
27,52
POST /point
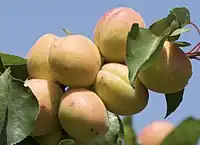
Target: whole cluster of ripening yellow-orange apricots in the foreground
x,y
96,76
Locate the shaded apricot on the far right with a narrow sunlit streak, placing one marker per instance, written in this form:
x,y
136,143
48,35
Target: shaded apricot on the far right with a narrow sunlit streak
x,y
169,72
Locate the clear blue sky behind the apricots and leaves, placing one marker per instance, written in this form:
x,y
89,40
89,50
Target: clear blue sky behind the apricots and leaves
x,y
23,22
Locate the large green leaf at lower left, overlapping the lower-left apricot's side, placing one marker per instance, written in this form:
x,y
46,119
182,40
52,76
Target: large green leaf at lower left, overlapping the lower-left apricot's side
x,y
23,109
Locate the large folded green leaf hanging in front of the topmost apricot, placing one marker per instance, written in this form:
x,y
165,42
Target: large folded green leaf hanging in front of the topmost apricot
x,y
142,48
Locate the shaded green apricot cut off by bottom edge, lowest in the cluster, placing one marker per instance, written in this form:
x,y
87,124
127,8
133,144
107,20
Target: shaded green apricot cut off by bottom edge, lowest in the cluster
x,y
52,138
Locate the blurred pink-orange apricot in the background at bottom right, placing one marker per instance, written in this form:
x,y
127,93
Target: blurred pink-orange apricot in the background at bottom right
x,y
155,133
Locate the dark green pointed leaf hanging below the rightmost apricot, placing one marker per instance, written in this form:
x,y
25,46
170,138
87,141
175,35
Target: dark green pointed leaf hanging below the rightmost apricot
x,y
173,101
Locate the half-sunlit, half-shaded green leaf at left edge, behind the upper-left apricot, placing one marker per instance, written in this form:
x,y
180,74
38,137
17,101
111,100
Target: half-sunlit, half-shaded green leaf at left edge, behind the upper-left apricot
x,y
17,65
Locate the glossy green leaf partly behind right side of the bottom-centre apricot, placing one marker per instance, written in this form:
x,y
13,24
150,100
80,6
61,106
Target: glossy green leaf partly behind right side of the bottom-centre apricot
x,y
113,136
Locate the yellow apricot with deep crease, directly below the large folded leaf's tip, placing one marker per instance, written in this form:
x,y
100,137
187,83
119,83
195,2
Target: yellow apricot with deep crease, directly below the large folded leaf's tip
x,y
113,87
